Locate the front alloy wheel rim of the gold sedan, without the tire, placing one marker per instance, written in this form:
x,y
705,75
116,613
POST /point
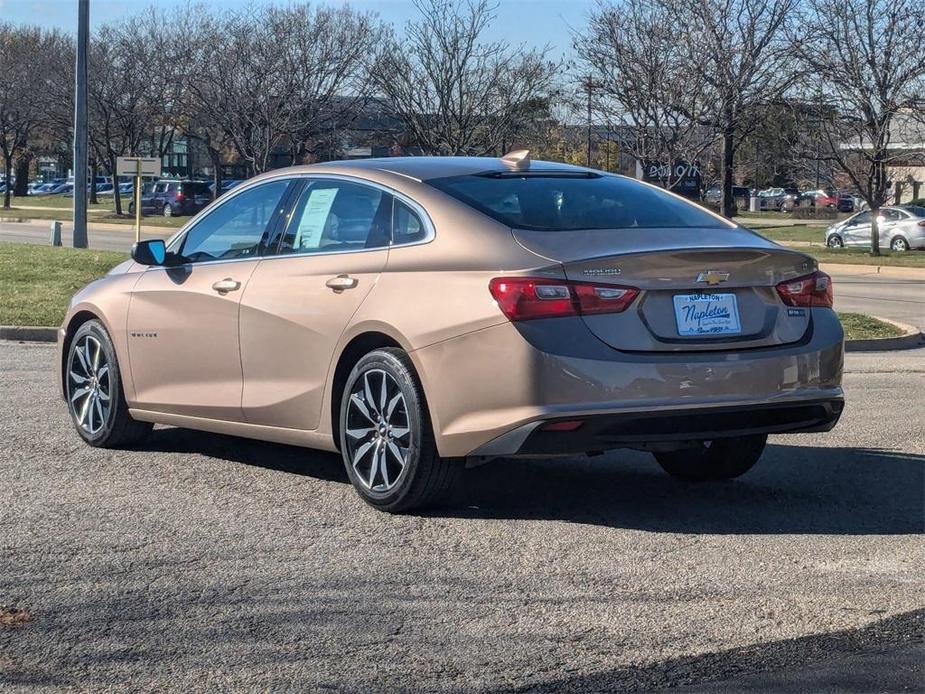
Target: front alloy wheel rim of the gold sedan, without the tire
x,y
90,385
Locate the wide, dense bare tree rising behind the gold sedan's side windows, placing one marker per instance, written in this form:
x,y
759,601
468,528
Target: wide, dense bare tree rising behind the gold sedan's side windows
x,y
274,78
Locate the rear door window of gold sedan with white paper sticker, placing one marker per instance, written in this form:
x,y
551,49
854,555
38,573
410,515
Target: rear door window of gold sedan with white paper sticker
x,y
337,216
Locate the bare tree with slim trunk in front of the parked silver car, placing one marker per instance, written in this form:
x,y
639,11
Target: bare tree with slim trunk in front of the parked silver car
x,y
870,55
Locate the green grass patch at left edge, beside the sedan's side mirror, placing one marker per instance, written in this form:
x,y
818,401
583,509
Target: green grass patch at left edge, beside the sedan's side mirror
x,y
36,282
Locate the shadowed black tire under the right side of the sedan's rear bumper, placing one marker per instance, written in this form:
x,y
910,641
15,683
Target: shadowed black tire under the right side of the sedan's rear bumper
x,y
720,459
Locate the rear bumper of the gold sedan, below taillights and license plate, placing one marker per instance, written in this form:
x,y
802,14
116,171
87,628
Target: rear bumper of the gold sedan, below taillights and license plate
x,y
490,391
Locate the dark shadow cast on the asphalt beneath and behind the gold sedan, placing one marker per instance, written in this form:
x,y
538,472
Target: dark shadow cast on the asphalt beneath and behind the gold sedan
x,y
793,489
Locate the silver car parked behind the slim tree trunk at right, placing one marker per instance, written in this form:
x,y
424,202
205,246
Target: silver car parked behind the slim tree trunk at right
x,y
901,228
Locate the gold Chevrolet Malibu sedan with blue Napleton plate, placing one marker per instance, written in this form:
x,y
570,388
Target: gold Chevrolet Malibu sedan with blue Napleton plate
x,y
419,315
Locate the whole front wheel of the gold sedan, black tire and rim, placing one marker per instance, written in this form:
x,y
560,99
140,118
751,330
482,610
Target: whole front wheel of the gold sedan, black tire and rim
x,y
93,391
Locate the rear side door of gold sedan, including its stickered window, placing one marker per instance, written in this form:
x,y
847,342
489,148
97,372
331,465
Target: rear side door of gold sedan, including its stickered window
x,y
299,302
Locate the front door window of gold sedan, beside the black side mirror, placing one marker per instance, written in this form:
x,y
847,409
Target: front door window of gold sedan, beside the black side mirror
x,y
238,228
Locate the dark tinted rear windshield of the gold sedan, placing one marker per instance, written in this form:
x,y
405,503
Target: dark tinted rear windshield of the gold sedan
x,y
571,202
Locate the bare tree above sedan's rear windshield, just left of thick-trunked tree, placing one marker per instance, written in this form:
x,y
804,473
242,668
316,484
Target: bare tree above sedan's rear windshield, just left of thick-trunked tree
x,y
642,78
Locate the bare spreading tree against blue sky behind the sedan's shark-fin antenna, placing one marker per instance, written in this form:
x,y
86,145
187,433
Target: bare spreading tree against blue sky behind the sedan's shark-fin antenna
x,y
456,93
